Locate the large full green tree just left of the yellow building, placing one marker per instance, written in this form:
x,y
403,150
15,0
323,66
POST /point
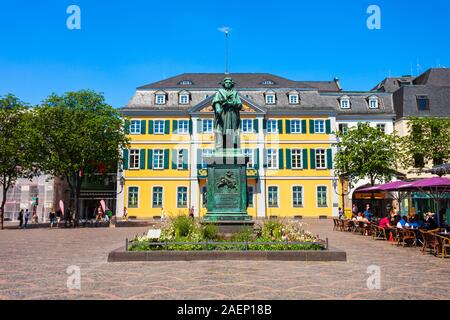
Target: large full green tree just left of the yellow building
x,y
78,132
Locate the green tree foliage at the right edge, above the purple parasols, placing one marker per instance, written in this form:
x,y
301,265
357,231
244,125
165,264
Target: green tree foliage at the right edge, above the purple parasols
x,y
428,140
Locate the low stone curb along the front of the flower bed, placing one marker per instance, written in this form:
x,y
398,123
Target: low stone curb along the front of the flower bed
x,y
333,254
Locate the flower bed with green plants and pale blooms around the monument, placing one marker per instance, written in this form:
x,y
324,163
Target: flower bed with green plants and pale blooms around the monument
x,y
186,234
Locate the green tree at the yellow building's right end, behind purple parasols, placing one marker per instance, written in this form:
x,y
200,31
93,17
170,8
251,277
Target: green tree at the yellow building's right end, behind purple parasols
x,y
366,152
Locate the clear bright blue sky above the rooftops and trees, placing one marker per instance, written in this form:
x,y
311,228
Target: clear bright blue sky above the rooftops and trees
x,y
125,44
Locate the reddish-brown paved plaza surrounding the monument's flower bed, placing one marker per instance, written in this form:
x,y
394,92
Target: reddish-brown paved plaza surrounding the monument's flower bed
x,y
34,264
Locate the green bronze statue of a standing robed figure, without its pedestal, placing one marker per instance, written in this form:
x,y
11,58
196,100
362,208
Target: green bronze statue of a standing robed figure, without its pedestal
x,y
227,121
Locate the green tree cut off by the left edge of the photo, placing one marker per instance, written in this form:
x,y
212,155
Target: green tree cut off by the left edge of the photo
x,y
16,148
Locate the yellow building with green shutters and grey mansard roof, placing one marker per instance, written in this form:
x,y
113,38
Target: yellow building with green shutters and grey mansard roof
x,y
286,131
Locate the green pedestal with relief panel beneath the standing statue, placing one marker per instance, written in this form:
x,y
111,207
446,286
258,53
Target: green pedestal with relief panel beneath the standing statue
x,y
227,188
